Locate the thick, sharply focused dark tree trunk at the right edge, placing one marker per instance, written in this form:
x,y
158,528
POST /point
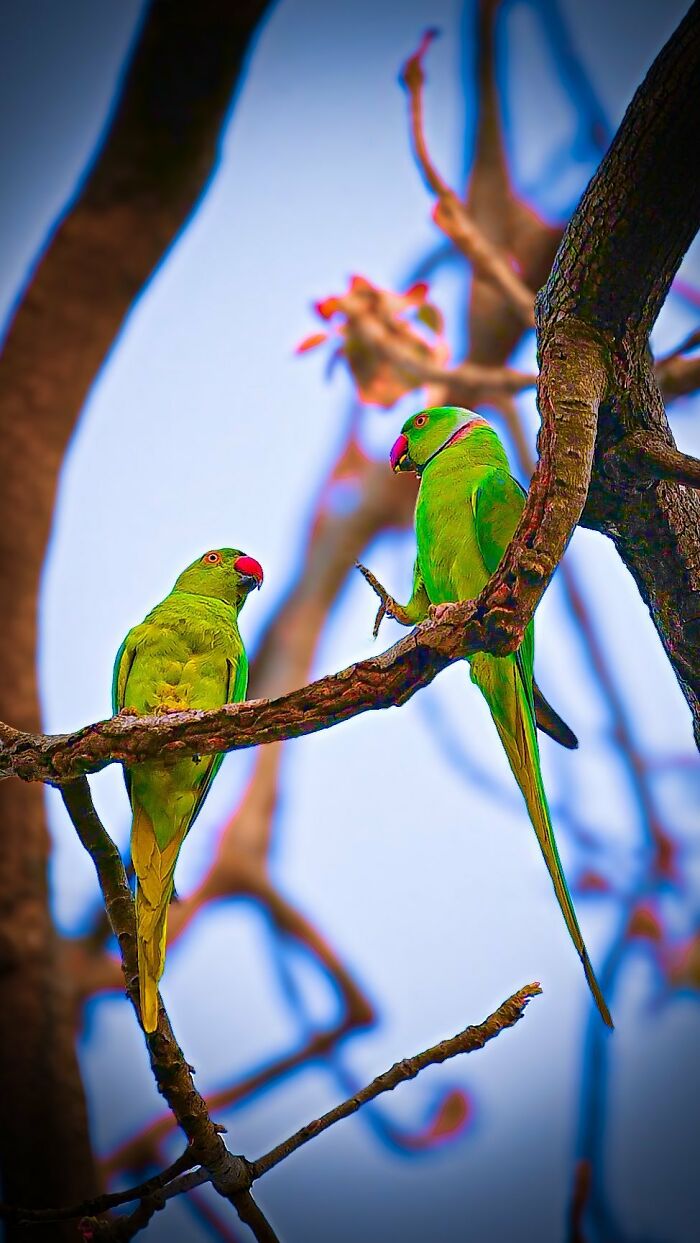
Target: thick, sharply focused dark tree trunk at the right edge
x,y
611,277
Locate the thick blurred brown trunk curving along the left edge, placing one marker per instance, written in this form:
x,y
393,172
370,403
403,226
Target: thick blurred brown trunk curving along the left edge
x,y
157,157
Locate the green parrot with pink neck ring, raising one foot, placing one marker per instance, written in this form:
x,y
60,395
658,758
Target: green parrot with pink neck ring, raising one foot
x,y
467,513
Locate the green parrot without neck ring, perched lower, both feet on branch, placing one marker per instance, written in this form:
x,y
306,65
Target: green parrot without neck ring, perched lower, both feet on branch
x,y
186,654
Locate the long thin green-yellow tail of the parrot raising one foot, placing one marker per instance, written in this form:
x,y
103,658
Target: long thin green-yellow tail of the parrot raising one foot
x,y
515,722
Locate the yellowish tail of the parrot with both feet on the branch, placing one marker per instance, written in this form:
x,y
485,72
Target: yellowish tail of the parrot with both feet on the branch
x,y
155,872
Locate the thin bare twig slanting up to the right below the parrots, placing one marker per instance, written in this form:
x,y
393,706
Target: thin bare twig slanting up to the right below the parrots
x,y
466,1042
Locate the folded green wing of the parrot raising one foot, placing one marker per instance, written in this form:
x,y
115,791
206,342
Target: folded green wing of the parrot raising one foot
x,y
498,505
